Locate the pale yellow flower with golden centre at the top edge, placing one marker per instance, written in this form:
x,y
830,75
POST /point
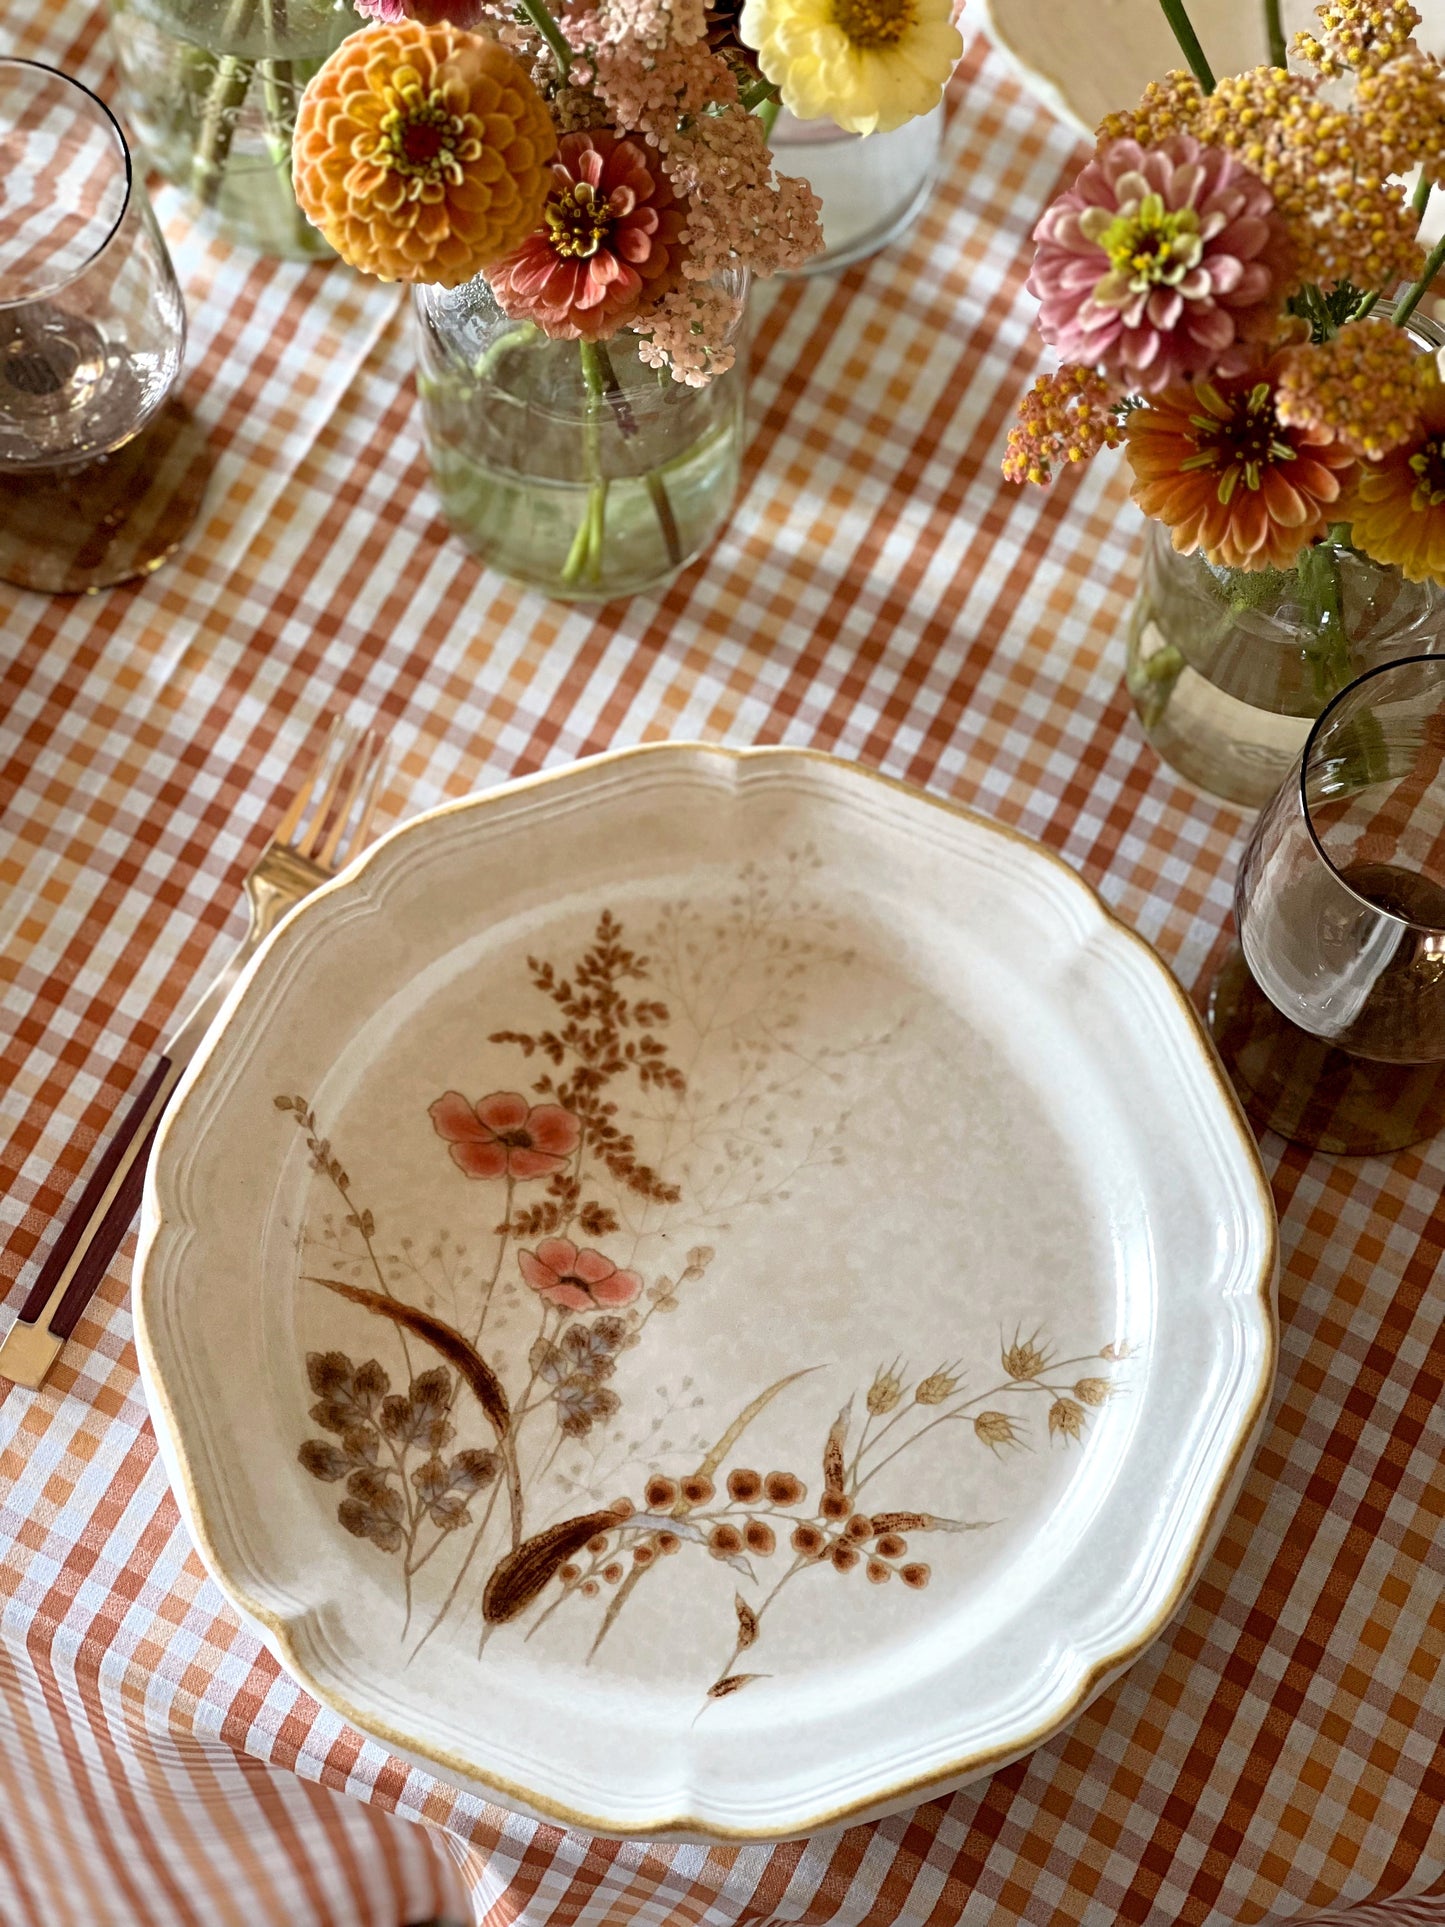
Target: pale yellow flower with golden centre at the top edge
x,y
864,65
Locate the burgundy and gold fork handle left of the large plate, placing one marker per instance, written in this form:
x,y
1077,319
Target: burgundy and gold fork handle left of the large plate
x,y
93,1232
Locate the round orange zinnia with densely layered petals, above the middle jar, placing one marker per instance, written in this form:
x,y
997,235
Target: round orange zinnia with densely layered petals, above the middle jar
x,y
423,153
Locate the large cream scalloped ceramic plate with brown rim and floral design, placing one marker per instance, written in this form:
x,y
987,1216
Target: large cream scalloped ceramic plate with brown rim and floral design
x,y
706,1294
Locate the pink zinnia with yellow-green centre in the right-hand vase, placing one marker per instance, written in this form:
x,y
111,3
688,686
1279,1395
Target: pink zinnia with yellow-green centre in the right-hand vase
x,y
1163,265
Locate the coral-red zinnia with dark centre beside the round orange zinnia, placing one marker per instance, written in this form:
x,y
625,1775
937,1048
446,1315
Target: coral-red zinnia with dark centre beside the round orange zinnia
x,y
608,244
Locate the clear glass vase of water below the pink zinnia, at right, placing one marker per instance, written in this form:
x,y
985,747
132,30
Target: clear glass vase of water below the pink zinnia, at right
x,y
1230,668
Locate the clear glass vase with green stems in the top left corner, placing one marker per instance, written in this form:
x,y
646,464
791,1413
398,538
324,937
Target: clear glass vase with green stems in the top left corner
x,y
213,90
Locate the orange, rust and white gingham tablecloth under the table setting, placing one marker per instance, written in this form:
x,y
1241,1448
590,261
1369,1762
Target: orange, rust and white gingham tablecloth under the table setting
x,y
881,594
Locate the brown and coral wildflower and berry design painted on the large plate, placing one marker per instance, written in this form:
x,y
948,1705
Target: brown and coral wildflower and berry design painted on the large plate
x,y
531,1359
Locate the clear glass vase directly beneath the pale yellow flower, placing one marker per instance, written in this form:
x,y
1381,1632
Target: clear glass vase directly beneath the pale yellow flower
x,y
872,188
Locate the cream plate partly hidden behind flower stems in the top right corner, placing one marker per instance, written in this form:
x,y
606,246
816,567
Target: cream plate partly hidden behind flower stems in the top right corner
x,y
1086,59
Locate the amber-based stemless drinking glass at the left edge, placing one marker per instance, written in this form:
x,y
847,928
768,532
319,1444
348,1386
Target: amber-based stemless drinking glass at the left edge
x,y
101,469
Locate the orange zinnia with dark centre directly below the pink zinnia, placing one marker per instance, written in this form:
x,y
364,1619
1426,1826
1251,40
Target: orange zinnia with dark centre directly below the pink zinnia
x,y
1219,467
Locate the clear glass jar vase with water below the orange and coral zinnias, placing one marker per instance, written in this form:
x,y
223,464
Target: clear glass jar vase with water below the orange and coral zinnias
x,y
567,465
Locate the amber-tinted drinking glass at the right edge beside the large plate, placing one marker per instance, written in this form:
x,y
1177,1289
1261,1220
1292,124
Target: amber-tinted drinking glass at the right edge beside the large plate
x,y
1332,1009
